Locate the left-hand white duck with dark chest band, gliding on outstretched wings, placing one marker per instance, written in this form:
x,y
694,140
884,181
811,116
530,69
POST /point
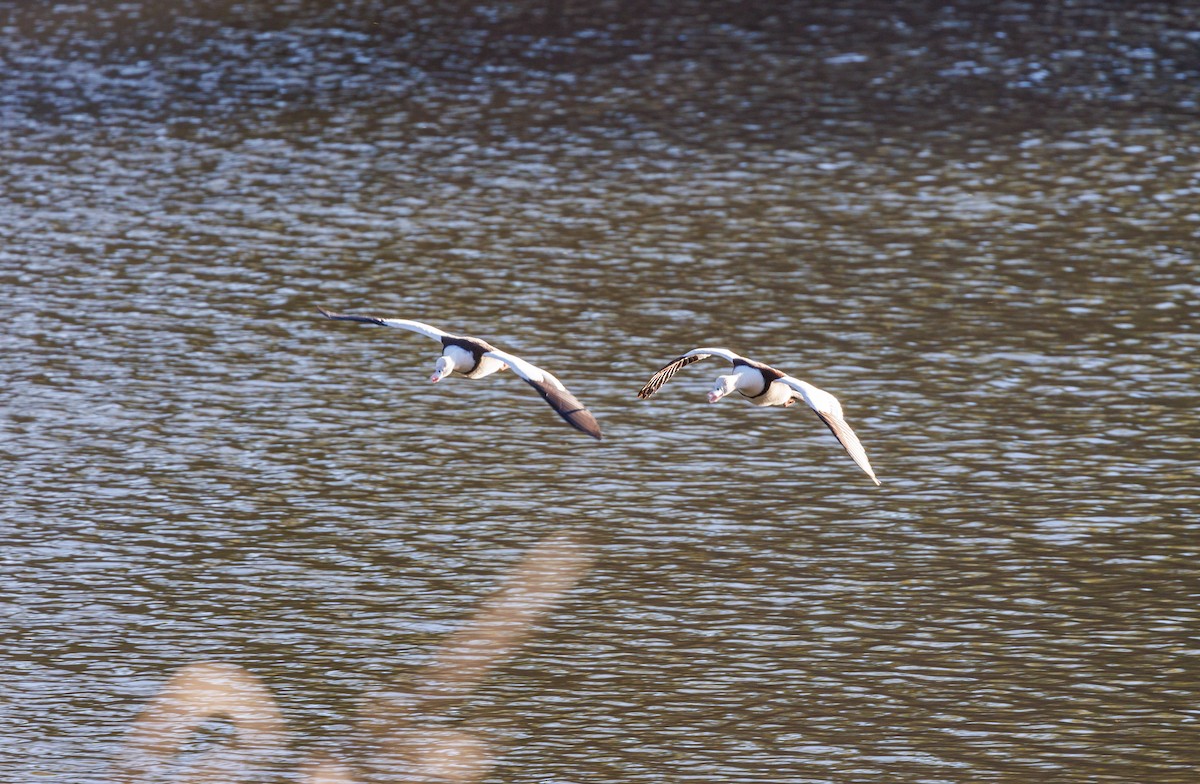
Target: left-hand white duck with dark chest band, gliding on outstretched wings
x,y
476,358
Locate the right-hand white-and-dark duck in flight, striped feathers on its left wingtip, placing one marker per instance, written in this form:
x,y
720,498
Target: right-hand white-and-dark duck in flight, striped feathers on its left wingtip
x,y
764,386
